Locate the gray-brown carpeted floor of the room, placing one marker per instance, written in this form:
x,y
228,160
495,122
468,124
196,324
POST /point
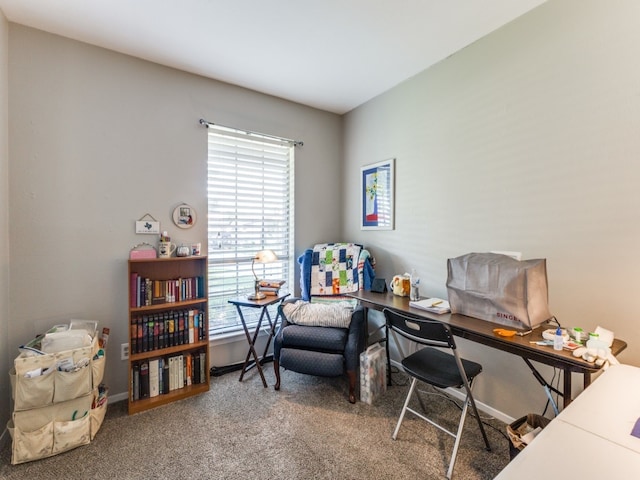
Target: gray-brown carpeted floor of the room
x,y
307,430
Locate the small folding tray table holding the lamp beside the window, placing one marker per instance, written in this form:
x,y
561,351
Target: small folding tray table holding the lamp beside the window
x,y
263,305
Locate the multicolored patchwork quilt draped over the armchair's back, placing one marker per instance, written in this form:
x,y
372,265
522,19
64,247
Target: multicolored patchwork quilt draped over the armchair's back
x,y
334,268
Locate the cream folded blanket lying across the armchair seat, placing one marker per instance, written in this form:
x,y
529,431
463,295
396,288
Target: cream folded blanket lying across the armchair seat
x,y
318,314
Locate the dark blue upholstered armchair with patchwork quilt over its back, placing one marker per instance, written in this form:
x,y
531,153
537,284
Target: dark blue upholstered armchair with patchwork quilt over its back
x,y
327,271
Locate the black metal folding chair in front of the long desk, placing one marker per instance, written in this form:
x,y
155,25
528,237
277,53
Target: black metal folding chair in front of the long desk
x,y
433,366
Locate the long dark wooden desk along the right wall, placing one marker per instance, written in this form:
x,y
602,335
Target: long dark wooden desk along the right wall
x,y
481,331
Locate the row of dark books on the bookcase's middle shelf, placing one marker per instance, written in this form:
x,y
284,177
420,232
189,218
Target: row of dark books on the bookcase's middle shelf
x,y
167,329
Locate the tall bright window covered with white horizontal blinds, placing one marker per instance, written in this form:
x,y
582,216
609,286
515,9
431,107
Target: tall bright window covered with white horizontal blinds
x,y
250,191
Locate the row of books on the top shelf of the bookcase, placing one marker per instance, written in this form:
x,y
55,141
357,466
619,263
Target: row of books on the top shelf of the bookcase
x,y
145,291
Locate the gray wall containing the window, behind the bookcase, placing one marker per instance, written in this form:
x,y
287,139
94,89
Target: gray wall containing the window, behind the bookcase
x,y
98,139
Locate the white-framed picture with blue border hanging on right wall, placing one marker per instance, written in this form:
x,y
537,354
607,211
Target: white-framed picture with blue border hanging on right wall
x,y
376,195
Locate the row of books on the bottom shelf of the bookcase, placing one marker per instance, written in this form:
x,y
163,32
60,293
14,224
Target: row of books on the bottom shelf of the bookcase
x,y
159,376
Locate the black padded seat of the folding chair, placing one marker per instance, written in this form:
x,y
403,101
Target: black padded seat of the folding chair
x,y
437,368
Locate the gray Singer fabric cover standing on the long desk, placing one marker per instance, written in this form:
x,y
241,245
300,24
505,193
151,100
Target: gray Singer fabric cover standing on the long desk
x,y
498,288
